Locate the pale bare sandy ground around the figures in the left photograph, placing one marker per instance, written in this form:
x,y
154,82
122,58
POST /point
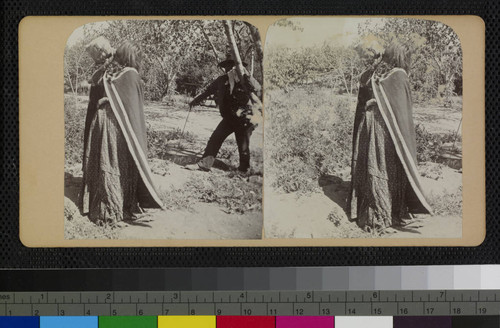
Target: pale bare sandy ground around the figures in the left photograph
x,y
187,217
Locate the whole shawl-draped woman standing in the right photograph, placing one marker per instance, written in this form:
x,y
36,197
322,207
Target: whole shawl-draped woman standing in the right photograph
x,y
385,188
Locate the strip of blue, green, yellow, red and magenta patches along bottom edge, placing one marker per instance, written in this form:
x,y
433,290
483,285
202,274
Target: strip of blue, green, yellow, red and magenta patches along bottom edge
x,y
250,322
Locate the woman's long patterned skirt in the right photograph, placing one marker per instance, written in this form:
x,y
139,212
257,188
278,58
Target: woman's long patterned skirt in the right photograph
x,y
380,185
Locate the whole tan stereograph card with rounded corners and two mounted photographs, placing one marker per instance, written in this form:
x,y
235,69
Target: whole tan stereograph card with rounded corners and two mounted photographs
x,y
252,131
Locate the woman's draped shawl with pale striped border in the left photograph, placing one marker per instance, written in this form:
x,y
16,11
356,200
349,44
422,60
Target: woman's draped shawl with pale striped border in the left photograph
x,y
126,98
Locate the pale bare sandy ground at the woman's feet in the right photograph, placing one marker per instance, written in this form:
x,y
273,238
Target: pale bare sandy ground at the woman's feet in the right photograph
x,y
322,214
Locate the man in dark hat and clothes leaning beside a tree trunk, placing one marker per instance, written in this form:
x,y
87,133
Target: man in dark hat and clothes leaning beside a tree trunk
x,y
237,101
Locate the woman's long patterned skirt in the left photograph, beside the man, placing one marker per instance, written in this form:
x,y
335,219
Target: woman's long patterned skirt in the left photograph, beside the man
x,y
110,174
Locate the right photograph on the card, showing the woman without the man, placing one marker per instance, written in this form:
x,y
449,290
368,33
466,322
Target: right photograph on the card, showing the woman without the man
x,y
363,129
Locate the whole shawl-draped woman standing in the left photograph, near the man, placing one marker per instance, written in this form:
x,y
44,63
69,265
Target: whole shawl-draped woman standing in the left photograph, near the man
x,y
117,181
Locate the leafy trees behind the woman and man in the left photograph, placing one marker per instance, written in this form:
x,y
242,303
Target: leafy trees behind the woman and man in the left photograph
x,y
178,55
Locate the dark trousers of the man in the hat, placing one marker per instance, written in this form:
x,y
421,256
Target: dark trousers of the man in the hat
x,y
242,134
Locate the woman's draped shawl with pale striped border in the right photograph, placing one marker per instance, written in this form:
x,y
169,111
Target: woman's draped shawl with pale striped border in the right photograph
x,y
393,97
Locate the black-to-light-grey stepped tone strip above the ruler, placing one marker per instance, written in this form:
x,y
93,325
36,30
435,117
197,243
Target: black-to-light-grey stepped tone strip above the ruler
x,y
290,278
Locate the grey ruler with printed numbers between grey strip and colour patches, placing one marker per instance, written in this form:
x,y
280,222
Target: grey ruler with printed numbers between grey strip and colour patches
x,y
274,303
